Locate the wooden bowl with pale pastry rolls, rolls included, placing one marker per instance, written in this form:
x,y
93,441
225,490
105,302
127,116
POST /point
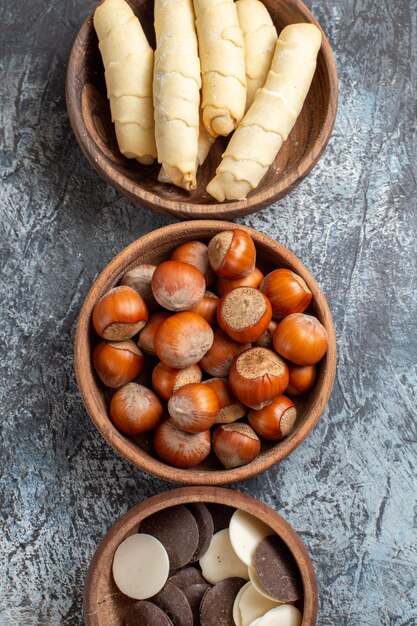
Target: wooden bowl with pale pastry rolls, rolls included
x,y
200,108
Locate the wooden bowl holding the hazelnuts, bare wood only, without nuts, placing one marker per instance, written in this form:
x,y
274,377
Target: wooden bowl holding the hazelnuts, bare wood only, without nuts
x,y
154,248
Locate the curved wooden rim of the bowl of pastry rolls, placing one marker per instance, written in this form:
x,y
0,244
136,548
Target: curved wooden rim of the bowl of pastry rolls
x,y
182,209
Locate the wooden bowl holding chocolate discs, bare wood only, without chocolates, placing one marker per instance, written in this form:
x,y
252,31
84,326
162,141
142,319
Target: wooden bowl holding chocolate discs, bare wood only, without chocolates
x,y
105,605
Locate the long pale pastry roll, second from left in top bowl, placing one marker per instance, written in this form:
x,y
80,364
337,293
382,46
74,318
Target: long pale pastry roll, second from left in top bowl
x,y
176,92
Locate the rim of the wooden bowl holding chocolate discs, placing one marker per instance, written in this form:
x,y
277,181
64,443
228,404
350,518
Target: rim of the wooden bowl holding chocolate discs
x,y
213,495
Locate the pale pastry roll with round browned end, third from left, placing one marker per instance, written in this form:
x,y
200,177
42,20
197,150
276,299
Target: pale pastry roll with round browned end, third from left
x,y
222,57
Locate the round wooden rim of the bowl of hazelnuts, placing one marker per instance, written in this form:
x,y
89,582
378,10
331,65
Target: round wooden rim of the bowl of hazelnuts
x,y
131,451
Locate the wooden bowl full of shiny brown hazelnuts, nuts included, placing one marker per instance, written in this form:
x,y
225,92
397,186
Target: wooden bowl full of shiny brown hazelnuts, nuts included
x,y
205,352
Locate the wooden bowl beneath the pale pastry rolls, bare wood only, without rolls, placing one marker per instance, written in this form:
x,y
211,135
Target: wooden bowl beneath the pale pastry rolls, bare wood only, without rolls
x,y
89,113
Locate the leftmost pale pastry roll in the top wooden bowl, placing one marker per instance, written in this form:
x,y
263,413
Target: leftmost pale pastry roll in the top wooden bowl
x,y
128,63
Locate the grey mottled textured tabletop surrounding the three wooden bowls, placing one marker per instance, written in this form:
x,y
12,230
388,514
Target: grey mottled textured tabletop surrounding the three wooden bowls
x,y
350,488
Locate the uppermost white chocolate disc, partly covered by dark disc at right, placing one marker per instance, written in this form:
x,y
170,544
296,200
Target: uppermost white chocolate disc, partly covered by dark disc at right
x,y
246,532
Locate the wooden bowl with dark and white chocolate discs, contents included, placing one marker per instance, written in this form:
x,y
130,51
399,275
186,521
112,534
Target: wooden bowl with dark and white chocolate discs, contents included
x,y
201,556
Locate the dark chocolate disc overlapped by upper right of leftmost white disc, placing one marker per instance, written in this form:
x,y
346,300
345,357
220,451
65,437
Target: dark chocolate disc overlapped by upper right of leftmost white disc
x,y
177,530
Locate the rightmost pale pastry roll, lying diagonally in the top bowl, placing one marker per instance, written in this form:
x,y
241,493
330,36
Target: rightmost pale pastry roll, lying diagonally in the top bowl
x,y
268,122
